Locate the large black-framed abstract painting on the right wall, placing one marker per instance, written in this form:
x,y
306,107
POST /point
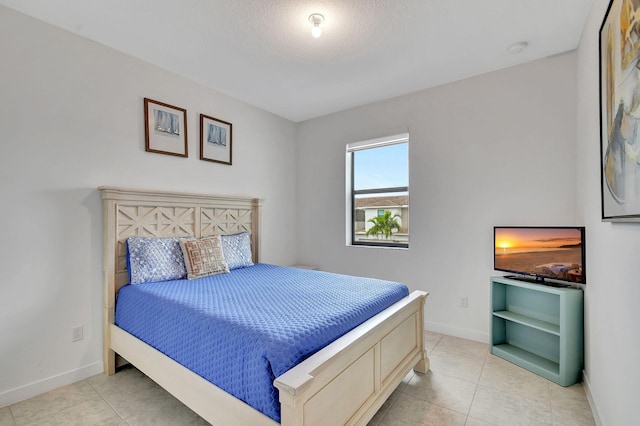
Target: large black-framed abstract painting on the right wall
x,y
620,112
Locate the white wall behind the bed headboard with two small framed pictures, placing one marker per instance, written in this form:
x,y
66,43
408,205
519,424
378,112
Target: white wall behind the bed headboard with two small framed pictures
x,y
71,119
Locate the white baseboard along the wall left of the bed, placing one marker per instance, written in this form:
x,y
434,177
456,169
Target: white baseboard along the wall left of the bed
x,y
45,385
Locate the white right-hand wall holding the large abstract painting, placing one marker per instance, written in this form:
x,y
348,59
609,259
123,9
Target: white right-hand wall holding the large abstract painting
x,y
612,340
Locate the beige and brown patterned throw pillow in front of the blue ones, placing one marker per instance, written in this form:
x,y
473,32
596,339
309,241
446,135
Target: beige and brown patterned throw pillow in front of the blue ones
x,y
204,257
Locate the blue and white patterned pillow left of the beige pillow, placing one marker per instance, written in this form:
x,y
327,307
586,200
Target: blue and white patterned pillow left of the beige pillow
x,y
154,259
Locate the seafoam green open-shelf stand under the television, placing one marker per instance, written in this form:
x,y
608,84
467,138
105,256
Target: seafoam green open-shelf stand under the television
x,y
538,327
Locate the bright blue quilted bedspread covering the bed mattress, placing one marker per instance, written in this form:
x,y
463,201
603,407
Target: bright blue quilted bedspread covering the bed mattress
x,y
242,330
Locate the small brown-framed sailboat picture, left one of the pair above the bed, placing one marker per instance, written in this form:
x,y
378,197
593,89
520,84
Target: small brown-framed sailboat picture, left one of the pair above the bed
x,y
165,128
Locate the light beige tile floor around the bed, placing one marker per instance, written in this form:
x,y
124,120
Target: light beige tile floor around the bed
x,y
466,386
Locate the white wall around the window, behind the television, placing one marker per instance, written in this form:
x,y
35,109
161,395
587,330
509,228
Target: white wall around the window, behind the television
x,y
498,149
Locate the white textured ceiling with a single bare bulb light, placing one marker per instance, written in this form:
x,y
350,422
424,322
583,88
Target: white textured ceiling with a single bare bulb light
x,y
261,51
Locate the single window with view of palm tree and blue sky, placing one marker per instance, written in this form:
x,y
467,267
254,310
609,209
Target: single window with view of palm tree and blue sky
x,y
378,192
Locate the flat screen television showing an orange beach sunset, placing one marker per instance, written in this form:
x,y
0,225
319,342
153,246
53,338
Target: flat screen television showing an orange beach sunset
x,y
541,253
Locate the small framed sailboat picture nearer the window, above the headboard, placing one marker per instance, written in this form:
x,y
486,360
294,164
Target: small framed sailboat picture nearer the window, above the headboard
x,y
215,140
